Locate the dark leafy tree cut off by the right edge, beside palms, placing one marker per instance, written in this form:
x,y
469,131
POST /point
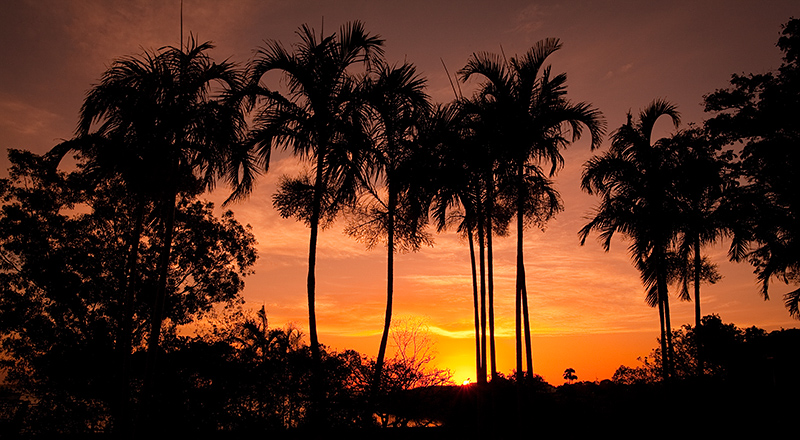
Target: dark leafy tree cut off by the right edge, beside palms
x,y
760,111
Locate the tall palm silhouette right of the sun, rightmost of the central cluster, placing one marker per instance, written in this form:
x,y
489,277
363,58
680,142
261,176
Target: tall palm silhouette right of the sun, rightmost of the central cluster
x,y
534,117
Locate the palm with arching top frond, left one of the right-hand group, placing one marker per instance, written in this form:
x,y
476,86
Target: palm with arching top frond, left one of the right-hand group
x,y
636,181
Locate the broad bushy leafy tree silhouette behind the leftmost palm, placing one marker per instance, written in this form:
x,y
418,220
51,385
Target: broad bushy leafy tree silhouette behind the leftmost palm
x,y
65,238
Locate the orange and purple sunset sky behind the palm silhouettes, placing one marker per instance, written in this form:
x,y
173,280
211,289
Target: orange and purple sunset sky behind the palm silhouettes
x,y
587,306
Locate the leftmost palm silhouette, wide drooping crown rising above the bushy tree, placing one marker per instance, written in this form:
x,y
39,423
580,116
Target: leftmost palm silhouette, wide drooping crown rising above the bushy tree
x,y
169,123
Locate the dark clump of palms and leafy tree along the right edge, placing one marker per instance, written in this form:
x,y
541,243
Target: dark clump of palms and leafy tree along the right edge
x,y
733,177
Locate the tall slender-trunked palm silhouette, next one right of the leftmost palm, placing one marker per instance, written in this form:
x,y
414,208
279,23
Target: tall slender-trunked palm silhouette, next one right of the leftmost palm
x,y
319,117
